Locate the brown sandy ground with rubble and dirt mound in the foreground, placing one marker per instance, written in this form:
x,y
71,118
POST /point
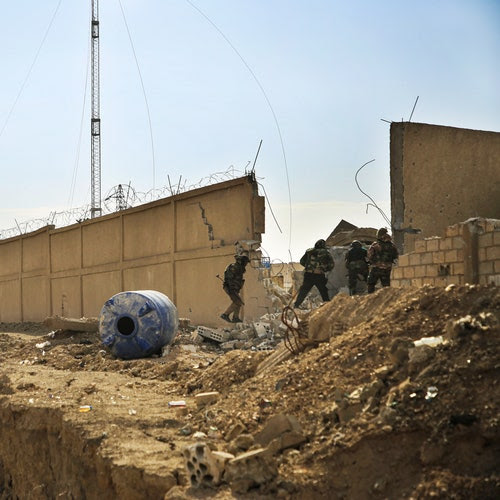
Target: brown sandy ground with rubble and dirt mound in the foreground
x,y
379,416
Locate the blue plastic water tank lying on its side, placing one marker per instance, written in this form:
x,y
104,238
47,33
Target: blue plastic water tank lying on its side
x,y
137,324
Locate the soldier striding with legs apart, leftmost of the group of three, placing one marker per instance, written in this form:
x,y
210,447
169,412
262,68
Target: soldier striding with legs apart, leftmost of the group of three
x,y
317,261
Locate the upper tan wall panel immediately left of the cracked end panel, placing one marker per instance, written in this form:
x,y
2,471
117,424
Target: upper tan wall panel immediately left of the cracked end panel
x,y
148,232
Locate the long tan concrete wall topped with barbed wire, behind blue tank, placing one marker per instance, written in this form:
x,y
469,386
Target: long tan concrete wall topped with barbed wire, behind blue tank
x,y
176,245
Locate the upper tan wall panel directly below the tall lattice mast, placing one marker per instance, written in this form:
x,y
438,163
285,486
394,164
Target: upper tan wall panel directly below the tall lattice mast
x,y
102,242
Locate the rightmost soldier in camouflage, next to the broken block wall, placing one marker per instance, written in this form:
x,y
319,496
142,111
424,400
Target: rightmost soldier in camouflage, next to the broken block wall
x,y
381,255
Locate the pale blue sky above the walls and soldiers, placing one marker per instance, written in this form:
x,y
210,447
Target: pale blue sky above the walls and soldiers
x,y
330,71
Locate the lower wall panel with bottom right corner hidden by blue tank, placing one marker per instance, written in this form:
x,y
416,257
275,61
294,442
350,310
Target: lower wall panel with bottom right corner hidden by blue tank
x,y
97,288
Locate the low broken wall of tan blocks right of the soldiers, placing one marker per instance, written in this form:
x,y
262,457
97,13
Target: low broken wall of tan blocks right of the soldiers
x,y
468,252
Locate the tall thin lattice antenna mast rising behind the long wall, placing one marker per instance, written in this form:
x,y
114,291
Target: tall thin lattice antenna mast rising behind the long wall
x,y
95,120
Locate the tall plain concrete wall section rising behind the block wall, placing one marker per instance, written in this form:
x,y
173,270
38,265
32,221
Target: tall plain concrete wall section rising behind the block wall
x,y
441,175
